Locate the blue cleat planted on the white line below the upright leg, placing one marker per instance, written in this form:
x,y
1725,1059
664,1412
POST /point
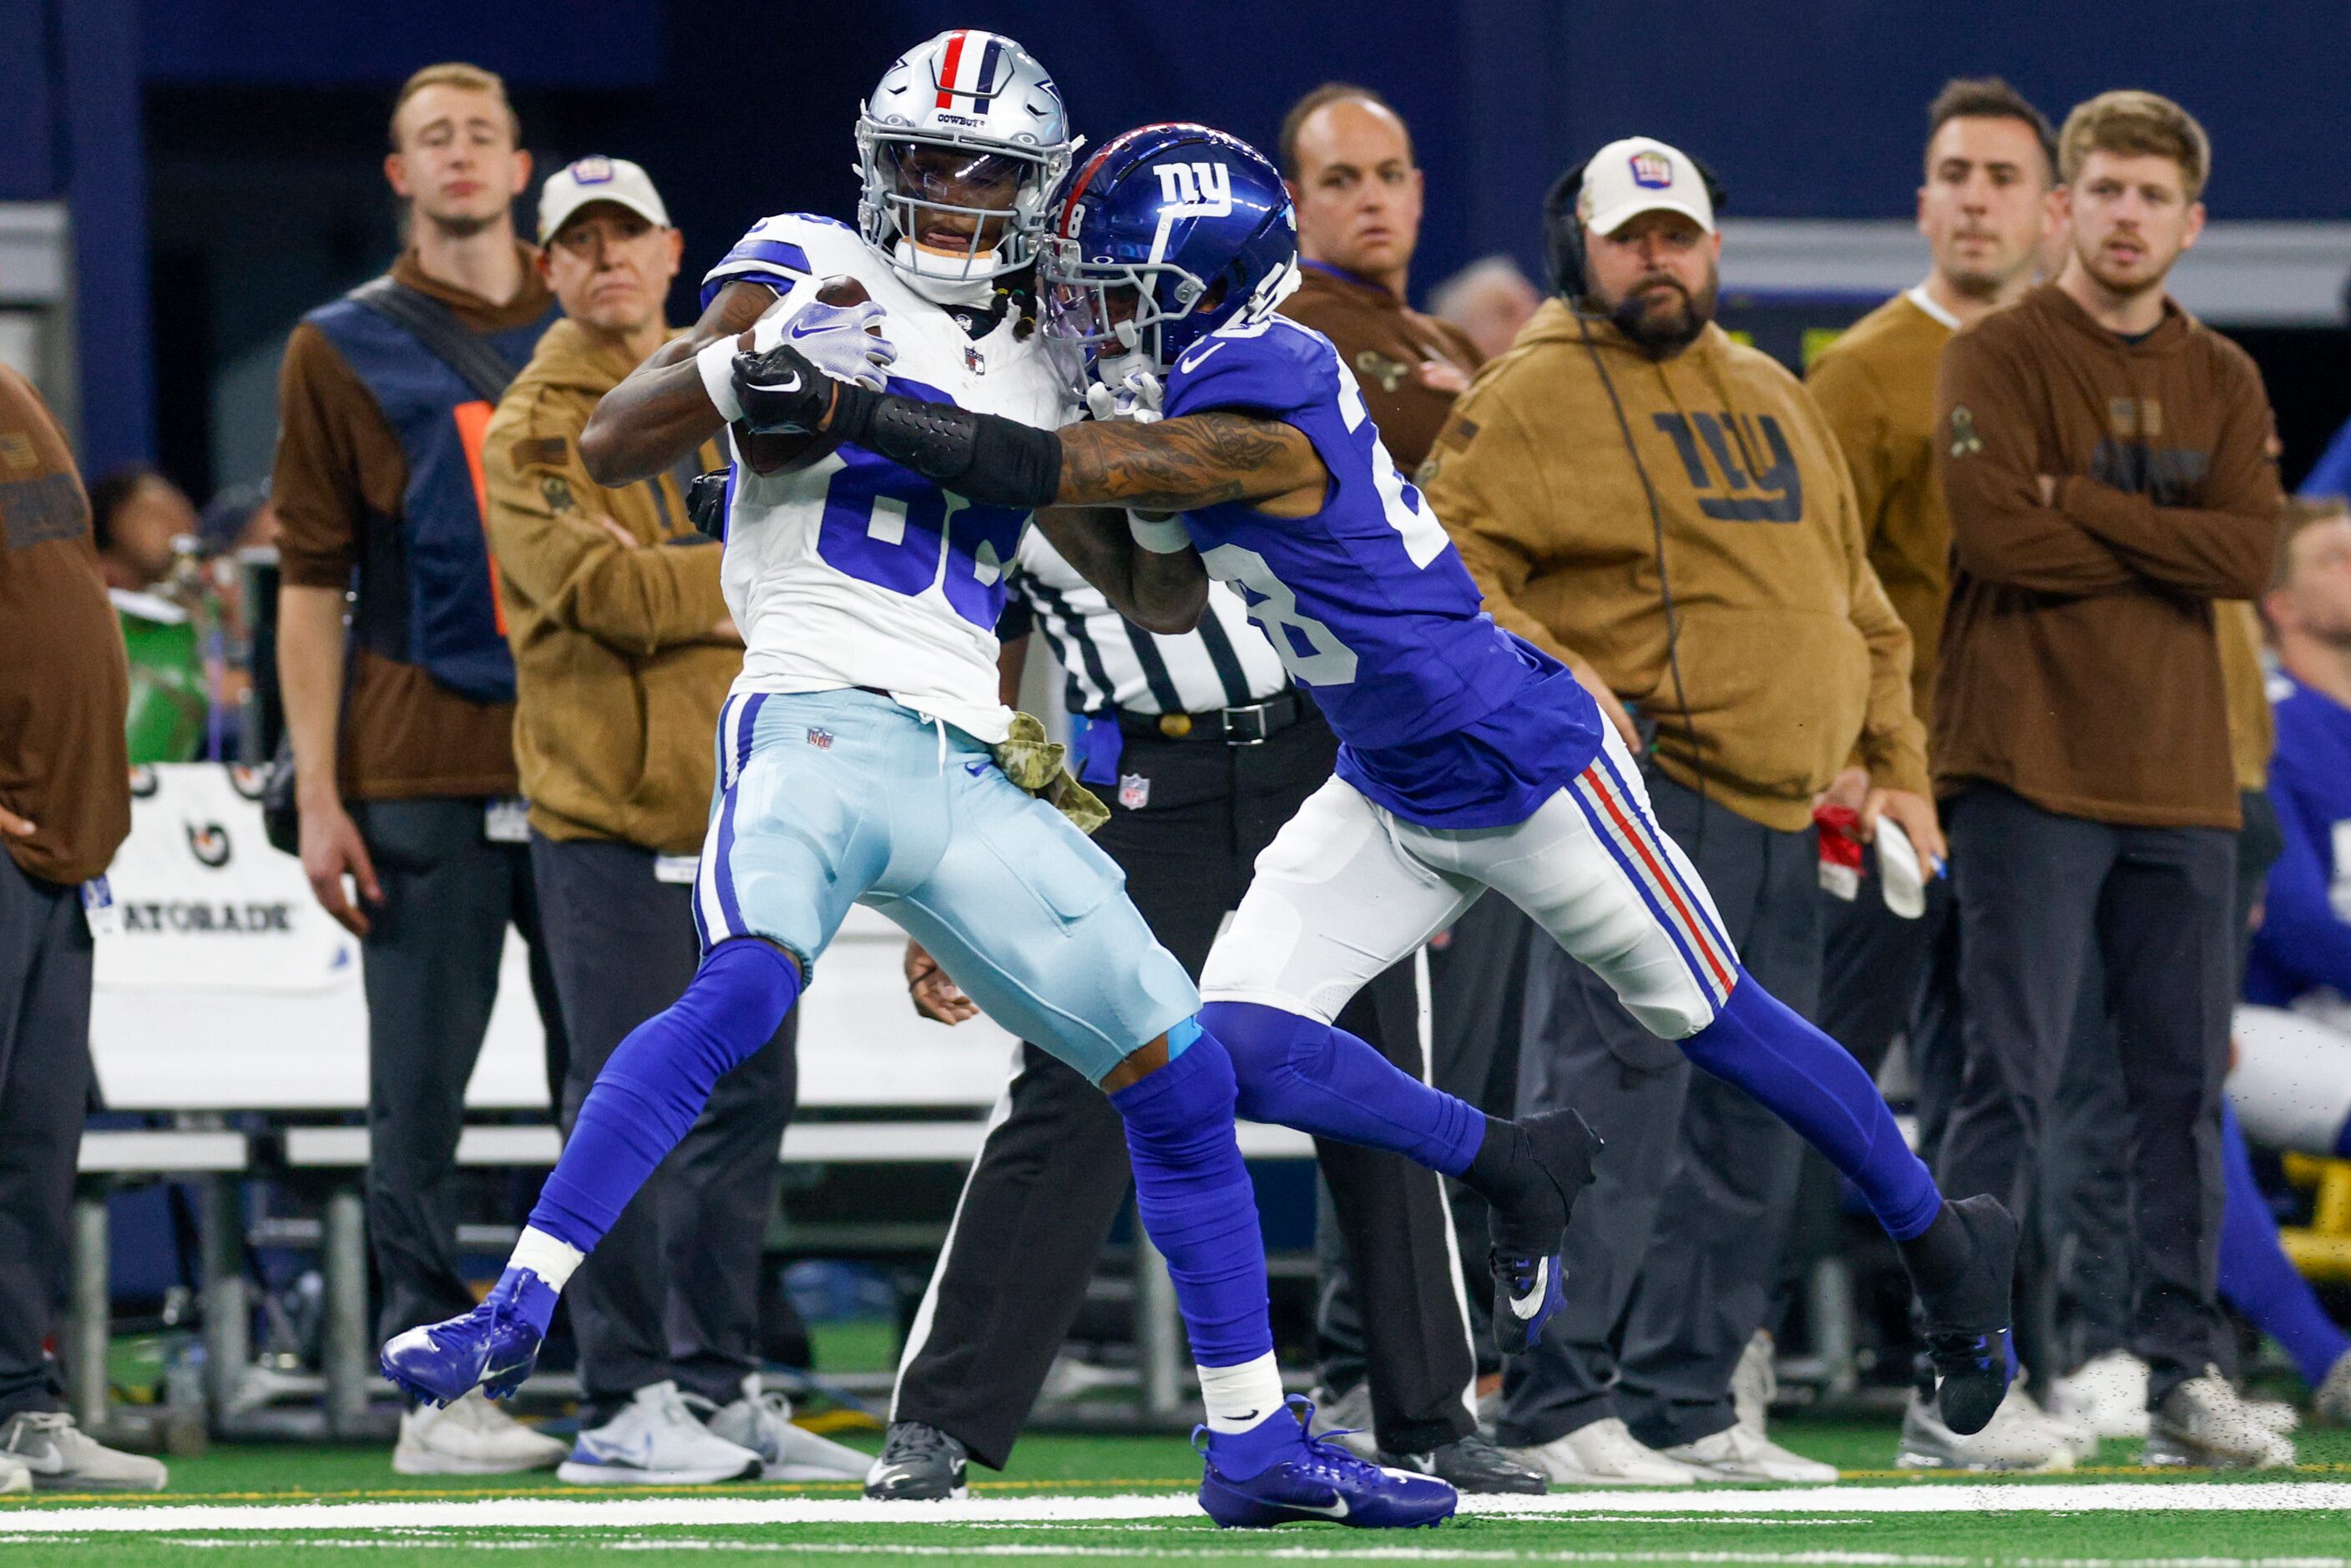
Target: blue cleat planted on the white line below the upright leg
x,y
1278,1473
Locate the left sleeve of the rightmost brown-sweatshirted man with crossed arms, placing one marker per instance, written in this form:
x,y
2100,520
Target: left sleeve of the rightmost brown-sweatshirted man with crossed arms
x,y
1988,464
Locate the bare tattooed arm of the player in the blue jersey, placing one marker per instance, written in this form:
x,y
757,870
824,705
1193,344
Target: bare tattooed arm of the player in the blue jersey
x,y
1191,462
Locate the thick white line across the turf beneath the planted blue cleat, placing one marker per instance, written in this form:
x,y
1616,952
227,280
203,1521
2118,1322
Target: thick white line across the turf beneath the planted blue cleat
x,y
542,1513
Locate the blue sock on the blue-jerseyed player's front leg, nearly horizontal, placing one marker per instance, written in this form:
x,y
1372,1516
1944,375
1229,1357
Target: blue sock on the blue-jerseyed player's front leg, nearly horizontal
x,y
1327,1083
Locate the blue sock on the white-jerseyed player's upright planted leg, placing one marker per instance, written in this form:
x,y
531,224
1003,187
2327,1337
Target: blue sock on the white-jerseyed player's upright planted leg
x,y
1198,1205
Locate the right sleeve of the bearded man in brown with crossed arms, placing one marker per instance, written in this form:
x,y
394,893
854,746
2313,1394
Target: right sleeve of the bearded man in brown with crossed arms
x,y
2223,547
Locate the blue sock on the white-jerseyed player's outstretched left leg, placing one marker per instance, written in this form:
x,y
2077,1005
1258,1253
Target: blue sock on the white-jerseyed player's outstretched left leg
x,y
657,1083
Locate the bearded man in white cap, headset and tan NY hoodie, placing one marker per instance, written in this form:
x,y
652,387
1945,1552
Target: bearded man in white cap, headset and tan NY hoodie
x,y
1637,490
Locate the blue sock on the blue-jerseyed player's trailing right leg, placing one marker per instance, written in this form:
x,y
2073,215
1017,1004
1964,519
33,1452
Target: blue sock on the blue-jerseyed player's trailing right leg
x,y
1816,1087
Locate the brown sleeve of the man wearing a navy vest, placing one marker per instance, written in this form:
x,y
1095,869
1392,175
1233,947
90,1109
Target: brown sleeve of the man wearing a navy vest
x,y
316,474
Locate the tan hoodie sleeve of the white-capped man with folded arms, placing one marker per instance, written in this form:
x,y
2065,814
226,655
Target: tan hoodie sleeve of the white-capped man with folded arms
x,y
551,551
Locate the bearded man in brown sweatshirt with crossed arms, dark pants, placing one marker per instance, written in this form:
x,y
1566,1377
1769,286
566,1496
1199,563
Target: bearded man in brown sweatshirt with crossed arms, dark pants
x,y
2110,474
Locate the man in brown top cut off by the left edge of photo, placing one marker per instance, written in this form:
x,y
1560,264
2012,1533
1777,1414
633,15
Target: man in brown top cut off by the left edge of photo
x,y
65,810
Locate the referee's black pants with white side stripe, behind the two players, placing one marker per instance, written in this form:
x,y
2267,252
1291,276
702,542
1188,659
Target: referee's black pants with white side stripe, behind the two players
x,y
1054,1174
